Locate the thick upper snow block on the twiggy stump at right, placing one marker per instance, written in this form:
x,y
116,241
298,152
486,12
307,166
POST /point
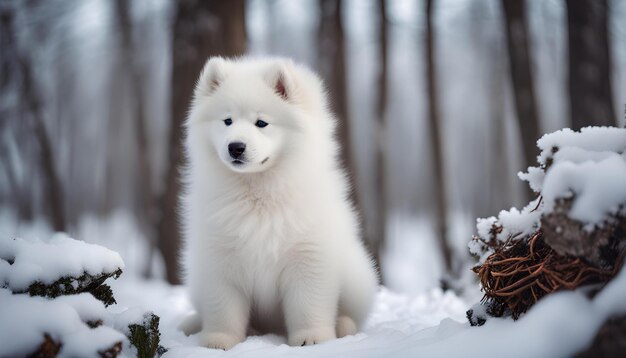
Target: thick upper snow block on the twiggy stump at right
x,y
588,166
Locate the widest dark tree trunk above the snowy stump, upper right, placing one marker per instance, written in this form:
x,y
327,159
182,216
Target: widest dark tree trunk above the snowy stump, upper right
x,y
591,101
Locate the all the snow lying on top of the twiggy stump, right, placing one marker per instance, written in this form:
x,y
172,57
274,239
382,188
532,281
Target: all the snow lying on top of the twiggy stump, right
x,y
586,169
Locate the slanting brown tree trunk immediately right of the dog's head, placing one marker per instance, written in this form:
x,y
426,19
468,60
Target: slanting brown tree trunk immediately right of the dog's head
x,y
331,63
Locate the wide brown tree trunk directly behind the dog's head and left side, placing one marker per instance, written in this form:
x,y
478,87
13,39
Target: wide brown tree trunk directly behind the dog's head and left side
x,y
201,29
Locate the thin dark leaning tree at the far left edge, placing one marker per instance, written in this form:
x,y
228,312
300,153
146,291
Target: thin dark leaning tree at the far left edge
x,y
30,111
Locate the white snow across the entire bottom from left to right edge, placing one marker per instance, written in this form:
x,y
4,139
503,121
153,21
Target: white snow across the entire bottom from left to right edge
x,y
431,323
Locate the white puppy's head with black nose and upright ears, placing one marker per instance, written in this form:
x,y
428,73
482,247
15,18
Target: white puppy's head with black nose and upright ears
x,y
248,111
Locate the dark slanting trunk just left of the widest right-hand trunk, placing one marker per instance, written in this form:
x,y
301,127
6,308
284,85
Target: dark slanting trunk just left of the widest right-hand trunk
x,y
521,77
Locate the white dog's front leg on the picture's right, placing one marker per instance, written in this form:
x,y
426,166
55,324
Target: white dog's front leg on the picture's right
x,y
310,297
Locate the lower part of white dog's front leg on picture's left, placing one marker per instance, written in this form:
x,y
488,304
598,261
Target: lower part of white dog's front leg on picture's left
x,y
225,315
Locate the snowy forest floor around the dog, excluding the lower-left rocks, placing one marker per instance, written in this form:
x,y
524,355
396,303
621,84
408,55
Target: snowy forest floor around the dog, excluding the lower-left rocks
x,y
430,324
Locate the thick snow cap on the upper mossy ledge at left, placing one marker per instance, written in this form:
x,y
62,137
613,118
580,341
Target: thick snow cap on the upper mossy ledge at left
x,y
49,260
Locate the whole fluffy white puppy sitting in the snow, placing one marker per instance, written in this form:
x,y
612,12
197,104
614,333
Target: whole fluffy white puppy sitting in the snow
x,y
272,242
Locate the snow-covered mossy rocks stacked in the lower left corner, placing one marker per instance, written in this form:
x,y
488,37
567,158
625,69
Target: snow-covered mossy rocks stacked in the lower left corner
x,y
72,312
